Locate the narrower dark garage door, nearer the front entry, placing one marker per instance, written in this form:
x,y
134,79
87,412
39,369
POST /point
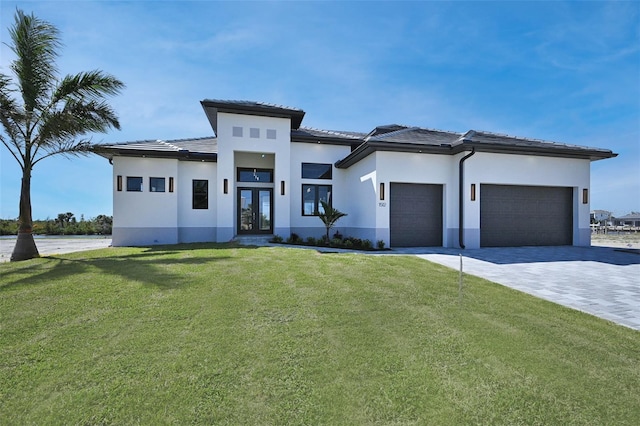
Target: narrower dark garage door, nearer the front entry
x,y
415,215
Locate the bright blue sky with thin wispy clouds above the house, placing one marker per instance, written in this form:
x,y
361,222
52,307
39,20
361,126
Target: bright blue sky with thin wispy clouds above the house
x,y
559,71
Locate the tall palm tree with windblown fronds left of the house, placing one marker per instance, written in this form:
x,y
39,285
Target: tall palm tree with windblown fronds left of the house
x,y
42,116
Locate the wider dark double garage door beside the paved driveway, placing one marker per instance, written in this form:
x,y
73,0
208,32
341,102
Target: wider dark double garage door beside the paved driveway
x,y
512,216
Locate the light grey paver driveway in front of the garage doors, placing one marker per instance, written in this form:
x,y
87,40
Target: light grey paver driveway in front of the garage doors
x,y
601,281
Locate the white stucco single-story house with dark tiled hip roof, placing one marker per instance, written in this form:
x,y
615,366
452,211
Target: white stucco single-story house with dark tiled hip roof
x,y
263,174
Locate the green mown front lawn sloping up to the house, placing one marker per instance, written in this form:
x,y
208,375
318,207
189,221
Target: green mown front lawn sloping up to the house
x,y
211,334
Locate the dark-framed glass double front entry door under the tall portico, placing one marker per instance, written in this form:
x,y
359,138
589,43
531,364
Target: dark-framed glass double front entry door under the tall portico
x,y
254,211
